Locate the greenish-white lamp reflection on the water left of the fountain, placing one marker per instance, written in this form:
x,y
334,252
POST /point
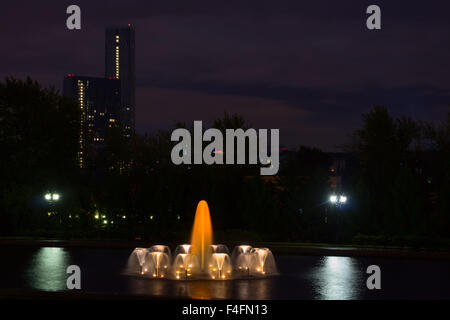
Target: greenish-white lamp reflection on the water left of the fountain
x,y
47,270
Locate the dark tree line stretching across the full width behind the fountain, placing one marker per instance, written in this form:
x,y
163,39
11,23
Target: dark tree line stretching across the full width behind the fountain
x,y
130,189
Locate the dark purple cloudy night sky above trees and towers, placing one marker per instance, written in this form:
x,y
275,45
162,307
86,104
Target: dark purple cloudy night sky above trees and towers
x,y
309,68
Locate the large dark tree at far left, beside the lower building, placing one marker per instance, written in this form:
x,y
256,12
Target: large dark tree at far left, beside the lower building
x,y
39,143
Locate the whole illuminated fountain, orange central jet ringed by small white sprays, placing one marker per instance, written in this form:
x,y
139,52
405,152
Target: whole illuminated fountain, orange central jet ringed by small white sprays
x,y
201,259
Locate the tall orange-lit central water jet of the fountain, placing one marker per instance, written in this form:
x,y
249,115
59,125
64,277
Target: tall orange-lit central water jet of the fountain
x,y
201,238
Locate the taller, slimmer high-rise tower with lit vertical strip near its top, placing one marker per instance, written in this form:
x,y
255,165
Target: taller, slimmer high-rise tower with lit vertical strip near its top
x,y
120,64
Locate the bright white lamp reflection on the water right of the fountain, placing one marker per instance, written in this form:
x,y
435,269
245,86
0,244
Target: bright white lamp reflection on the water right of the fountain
x,y
338,278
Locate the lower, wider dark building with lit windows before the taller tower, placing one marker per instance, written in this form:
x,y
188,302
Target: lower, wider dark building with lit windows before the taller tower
x,y
99,100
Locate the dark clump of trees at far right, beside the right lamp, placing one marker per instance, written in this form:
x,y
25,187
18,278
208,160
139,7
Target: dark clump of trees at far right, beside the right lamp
x,y
402,182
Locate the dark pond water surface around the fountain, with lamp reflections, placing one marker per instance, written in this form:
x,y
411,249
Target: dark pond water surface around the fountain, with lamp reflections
x,y
301,277
